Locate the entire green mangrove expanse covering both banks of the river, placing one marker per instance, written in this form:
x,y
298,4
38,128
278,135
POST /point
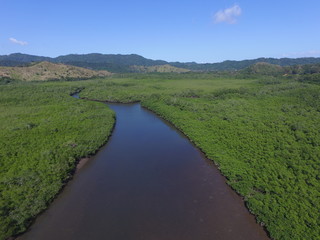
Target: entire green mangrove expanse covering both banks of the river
x,y
262,132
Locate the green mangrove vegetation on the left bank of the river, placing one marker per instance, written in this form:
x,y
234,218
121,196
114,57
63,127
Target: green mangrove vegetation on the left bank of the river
x,y
43,132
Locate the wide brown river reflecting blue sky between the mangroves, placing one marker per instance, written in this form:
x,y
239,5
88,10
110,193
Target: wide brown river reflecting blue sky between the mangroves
x,y
148,183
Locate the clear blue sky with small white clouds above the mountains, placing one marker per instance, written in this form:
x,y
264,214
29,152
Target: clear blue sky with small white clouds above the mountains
x,y
189,30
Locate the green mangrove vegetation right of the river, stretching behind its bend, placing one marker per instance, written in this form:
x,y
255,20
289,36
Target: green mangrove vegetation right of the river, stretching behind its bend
x,y
263,134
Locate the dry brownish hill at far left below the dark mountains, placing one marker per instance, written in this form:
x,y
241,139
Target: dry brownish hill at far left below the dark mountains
x,y
45,71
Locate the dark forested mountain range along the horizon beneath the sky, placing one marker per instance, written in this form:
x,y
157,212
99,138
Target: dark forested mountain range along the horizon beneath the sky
x,y
123,63
